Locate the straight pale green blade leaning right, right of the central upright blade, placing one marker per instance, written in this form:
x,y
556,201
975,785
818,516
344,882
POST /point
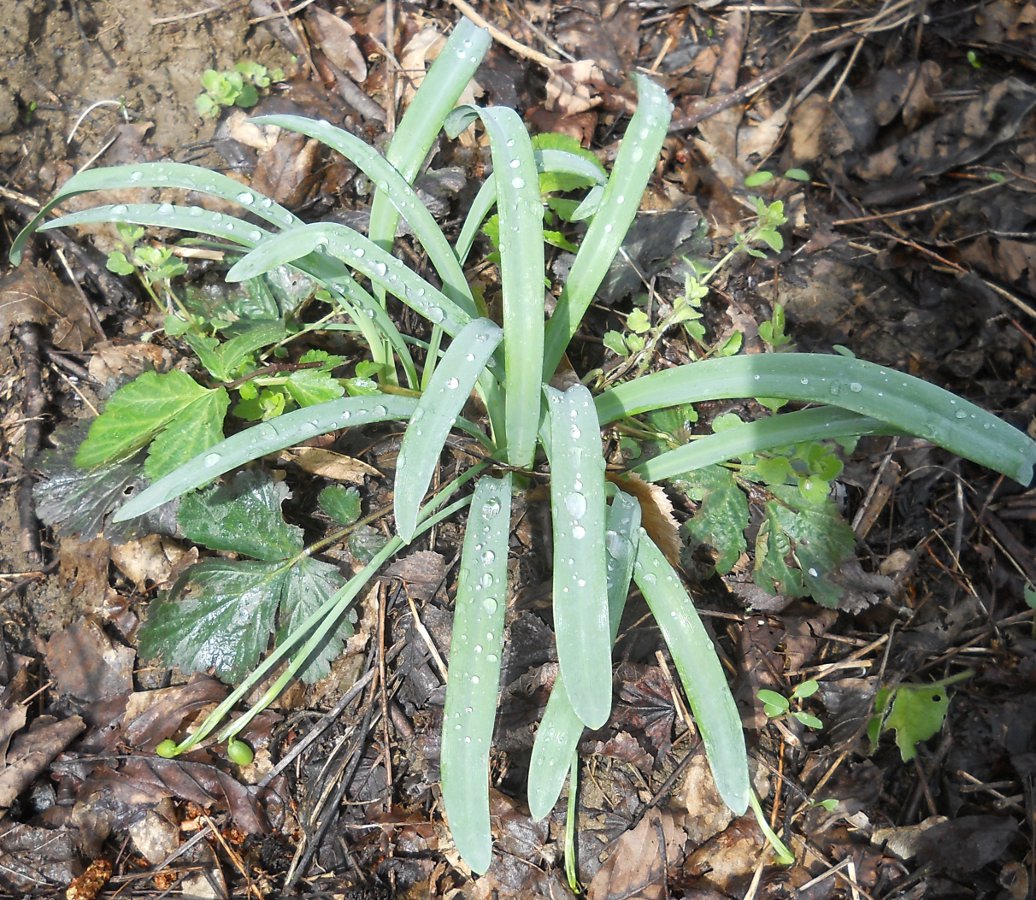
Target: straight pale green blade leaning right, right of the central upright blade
x,y
634,168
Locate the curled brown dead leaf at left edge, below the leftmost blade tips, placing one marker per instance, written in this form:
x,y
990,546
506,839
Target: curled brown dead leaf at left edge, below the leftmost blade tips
x,y
34,295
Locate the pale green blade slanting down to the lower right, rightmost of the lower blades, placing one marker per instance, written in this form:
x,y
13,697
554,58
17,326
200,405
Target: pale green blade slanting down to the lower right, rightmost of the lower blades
x,y
701,674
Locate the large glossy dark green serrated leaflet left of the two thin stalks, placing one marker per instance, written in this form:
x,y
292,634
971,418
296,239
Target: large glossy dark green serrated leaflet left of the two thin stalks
x,y
218,616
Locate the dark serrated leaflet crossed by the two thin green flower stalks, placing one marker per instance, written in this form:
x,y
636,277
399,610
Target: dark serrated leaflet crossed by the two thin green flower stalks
x,y
306,589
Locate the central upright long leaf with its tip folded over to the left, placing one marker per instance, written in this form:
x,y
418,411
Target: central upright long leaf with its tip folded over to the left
x,y
521,213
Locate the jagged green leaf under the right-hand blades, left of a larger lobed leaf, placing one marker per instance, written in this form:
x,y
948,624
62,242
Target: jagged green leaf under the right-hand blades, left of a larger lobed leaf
x,y
722,520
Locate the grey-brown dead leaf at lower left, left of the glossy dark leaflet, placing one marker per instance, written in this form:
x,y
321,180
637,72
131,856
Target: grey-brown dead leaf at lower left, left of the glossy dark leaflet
x,y
88,664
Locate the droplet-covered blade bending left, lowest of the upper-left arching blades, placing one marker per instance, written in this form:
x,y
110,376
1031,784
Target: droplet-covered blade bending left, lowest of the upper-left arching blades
x,y
361,254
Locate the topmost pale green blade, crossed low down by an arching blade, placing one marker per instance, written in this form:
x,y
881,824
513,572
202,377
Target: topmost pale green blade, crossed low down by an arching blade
x,y
439,94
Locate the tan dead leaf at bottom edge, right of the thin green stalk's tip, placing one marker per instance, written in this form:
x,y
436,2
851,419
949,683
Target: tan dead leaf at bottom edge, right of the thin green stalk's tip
x,y
639,861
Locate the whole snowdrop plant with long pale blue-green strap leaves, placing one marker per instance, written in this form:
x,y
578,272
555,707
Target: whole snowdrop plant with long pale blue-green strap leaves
x,y
600,548
